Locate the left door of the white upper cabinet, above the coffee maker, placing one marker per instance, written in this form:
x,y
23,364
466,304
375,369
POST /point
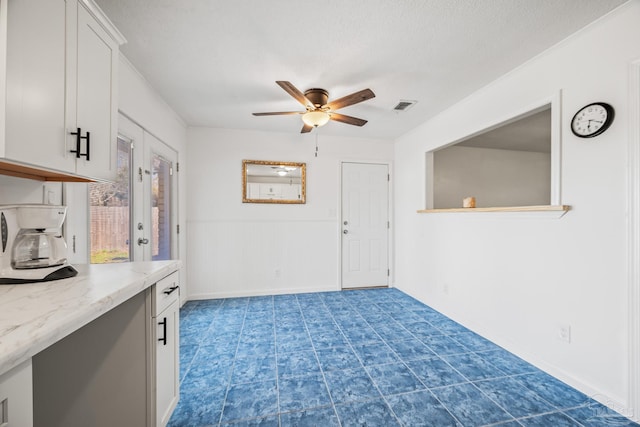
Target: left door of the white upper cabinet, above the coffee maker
x,y
35,84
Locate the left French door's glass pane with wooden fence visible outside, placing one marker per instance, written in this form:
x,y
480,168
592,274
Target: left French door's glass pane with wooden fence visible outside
x,y
110,212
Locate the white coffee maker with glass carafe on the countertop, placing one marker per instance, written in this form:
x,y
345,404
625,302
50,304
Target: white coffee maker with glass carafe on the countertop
x,y
32,246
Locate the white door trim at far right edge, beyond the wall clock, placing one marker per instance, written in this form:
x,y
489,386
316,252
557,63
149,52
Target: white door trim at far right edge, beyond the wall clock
x,y
633,241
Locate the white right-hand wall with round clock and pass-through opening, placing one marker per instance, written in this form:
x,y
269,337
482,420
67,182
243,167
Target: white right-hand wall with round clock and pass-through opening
x,y
517,281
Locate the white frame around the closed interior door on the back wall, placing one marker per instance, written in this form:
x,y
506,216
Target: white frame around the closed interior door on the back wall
x,y
390,252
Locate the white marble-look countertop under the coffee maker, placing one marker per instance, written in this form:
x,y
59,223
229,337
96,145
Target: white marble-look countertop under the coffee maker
x,y
35,316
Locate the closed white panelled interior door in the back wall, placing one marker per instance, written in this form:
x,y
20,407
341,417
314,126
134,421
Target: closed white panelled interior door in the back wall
x,y
365,225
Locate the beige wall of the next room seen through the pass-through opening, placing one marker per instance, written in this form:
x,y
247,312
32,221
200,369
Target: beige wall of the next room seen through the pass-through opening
x,y
494,177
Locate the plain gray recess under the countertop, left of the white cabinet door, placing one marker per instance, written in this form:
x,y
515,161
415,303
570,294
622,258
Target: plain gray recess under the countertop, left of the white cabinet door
x,y
98,375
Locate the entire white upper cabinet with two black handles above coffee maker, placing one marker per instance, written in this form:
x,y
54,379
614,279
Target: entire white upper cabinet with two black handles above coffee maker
x,y
61,75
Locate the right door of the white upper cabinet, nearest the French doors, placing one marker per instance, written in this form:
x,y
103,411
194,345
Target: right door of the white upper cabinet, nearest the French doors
x,y
95,108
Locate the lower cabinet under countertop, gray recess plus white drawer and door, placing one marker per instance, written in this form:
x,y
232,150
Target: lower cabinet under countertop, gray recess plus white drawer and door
x,y
119,370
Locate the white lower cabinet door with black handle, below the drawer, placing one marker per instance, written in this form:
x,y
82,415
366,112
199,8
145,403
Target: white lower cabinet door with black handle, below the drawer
x,y
167,360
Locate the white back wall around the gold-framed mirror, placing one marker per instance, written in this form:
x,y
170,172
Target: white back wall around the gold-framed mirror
x,y
240,248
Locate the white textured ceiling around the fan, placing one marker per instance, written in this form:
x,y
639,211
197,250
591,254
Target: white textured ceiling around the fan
x,y
215,62
